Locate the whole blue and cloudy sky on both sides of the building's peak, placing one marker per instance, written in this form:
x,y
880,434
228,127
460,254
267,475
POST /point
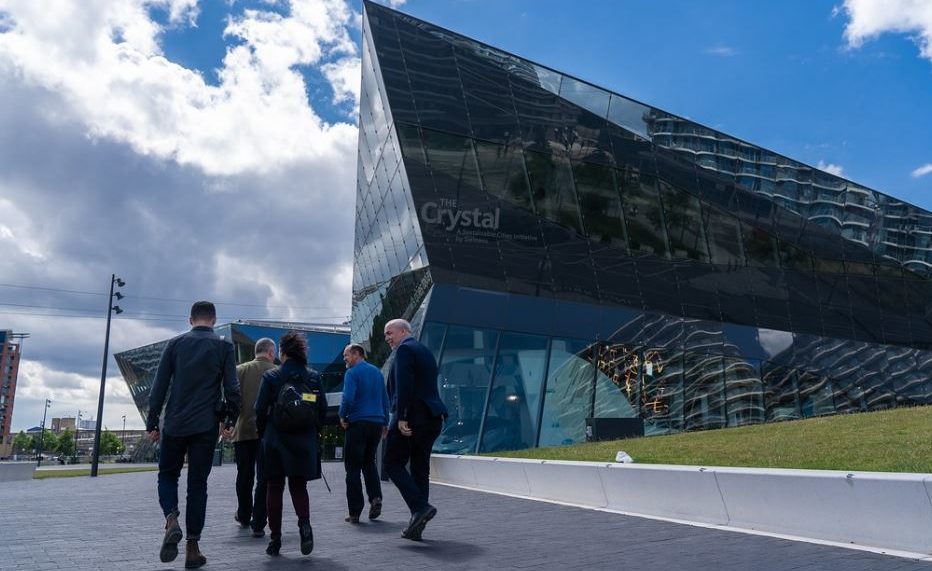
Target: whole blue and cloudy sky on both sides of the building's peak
x,y
207,149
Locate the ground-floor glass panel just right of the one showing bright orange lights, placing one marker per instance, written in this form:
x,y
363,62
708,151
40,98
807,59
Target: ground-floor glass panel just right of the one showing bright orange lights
x,y
662,391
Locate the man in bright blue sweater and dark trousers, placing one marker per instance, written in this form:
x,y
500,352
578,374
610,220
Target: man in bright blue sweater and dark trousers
x,y
364,416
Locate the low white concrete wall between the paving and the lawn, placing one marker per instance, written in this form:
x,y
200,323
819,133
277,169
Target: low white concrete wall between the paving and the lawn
x,y
881,510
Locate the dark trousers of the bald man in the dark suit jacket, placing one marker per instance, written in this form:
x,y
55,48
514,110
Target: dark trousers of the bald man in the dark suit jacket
x,y
399,450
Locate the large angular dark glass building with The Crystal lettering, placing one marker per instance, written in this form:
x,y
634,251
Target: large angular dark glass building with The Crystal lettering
x,y
571,254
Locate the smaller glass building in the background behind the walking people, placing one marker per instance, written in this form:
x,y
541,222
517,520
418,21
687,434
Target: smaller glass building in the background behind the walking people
x,y
325,355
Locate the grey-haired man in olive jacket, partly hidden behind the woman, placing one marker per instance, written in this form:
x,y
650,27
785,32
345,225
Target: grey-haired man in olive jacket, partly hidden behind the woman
x,y
246,445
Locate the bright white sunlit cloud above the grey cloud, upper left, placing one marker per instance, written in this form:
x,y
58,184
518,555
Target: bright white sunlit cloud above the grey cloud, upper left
x,y
257,119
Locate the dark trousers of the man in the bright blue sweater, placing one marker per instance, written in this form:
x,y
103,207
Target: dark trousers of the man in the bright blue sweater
x,y
359,448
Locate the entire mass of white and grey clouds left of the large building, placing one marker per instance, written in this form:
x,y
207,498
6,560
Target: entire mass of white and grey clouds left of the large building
x,y
113,158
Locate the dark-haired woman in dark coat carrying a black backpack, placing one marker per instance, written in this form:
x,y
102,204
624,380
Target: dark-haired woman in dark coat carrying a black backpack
x,y
290,408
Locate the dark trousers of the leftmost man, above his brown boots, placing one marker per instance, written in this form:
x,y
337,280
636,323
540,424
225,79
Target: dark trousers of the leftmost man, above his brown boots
x,y
200,451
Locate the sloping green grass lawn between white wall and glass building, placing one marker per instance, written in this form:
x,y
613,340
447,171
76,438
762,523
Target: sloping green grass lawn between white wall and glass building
x,y
898,440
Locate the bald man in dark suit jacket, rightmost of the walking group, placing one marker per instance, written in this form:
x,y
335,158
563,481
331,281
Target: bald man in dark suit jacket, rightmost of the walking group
x,y
417,418
